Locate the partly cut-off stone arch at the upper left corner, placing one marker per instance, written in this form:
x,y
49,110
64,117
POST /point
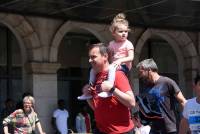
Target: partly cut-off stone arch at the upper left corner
x,y
23,31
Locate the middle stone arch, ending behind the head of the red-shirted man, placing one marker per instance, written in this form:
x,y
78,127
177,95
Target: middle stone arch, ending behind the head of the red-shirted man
x,y
95,29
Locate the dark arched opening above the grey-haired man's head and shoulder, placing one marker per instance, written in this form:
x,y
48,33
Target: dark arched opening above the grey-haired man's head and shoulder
x,y
163,54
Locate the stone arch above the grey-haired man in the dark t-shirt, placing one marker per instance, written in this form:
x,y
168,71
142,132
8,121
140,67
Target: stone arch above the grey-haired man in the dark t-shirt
x,y
182,46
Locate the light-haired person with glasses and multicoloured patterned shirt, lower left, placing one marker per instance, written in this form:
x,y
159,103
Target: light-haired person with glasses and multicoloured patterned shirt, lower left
x,y
23,120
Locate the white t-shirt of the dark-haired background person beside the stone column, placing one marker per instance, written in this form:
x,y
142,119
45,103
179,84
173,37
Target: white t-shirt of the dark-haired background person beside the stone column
x,y
61,120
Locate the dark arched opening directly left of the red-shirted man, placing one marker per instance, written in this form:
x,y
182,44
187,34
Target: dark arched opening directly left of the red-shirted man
x,y
74,70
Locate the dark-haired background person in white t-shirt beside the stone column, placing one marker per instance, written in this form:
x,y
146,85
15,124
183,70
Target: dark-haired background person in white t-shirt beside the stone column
x,y
60,118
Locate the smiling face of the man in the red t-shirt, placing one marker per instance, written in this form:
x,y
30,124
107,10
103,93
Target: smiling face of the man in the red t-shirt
x,y
96,59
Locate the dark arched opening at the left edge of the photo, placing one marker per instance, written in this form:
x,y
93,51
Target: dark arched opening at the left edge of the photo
x,y
10,69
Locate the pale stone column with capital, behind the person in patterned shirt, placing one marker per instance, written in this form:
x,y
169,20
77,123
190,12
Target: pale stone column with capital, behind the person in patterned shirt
x,y
42,81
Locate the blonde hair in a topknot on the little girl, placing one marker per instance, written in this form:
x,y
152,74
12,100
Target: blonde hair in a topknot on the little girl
x,y
118,20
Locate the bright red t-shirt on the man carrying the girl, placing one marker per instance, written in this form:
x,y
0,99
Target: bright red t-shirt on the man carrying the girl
x,y
111,115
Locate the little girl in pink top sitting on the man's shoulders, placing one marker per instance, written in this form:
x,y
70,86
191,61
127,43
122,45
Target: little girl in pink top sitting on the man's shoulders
x,y
123,53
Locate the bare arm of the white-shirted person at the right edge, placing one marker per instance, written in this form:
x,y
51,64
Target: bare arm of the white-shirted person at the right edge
x,y
184,126
